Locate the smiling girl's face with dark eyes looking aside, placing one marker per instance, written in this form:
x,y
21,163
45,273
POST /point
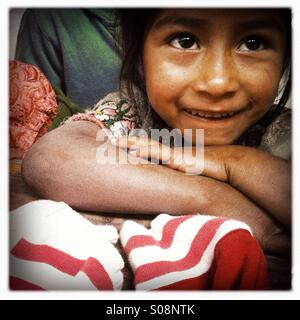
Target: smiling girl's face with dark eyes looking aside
x,y
214,69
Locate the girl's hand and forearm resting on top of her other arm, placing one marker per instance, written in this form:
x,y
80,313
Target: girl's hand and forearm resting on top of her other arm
x,y
263,178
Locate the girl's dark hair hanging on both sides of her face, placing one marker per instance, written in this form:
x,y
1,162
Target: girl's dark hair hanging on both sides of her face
x,y
134,25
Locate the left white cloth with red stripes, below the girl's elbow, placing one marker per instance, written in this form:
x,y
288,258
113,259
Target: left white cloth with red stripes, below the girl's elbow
x,y
52,247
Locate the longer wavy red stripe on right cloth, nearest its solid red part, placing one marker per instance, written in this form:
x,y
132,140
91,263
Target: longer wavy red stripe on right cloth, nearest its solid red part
x,y
194,255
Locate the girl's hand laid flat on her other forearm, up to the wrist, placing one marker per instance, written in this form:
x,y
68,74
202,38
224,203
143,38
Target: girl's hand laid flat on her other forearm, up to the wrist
x,y
209,161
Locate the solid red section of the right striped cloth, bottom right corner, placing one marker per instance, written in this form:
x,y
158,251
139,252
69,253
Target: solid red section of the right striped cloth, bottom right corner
x,y
239,264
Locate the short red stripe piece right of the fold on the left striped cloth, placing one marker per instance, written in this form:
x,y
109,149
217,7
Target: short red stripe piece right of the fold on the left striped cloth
x,y
97,274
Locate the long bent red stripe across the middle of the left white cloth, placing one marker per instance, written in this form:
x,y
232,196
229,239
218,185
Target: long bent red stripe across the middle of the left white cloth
x,y
64,262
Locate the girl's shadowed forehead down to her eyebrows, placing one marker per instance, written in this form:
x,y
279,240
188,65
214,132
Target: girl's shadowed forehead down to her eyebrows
x,y
274,18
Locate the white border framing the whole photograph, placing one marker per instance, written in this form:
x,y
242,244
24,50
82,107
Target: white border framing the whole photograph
x,y
6,294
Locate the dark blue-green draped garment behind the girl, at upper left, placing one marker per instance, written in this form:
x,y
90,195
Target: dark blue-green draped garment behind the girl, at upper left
x,y
74,48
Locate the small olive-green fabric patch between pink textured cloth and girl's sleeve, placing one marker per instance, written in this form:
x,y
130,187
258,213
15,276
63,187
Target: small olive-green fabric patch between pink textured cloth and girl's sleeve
x,y
66,108
